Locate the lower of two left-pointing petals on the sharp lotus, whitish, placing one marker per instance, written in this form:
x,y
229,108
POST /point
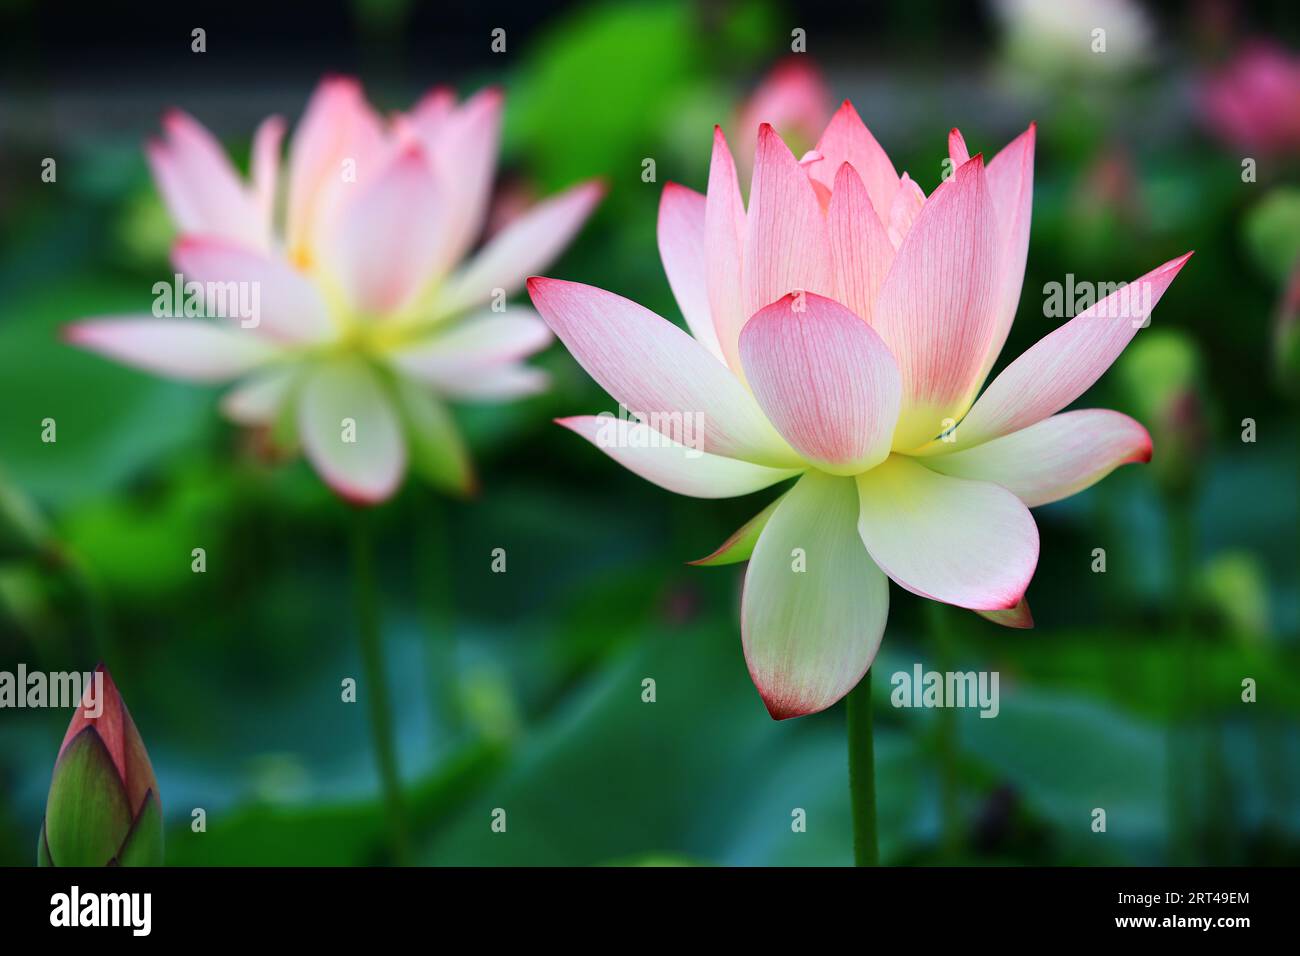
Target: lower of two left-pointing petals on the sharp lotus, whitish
x,y
673,465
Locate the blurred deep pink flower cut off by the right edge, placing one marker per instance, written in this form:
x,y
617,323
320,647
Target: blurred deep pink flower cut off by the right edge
x,y
1254,102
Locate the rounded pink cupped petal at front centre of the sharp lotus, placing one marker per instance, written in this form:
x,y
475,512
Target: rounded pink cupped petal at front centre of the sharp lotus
x,y
826,380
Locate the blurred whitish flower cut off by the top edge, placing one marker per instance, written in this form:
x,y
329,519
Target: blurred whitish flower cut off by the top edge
x,y
1059,40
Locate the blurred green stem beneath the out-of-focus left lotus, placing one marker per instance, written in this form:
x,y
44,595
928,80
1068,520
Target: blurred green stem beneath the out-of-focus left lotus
x,y
375,685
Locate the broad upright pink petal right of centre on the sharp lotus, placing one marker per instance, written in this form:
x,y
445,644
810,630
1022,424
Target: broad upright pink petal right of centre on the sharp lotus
x,y
935,309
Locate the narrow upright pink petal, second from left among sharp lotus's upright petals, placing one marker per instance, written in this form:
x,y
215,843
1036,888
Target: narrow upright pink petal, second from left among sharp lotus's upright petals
x,y
725,243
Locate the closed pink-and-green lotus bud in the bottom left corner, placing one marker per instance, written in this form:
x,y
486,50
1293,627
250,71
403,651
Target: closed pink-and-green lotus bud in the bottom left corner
x,y
103,807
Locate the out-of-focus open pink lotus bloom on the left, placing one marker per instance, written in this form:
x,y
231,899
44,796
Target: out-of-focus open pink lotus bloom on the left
x,y
369,313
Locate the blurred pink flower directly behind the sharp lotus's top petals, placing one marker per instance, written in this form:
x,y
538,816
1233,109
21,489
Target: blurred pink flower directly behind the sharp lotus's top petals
x,y
795,101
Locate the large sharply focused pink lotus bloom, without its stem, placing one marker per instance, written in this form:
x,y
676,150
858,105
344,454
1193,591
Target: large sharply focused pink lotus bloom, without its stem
x,y
842,326
